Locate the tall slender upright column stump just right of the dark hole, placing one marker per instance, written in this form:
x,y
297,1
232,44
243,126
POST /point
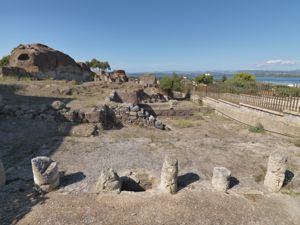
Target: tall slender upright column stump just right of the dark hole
x,y
169,174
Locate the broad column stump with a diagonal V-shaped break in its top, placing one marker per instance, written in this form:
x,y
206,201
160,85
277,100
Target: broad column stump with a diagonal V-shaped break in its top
x,y
45,173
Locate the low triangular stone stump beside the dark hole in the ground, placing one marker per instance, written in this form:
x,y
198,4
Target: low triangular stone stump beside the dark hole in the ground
x,y
109,181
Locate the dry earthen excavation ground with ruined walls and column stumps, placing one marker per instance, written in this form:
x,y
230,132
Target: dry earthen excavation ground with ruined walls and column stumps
x,y
108,155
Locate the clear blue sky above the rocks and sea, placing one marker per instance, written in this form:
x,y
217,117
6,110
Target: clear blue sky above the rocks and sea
x,y
160,35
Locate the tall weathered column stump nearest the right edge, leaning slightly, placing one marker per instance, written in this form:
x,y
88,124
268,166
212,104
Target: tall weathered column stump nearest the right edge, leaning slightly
x,y
276,171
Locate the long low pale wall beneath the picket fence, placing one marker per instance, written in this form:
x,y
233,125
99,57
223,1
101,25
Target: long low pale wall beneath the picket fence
x,y
287,123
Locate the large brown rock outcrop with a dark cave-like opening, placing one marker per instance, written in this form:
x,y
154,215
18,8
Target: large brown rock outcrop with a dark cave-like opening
x,y
42,62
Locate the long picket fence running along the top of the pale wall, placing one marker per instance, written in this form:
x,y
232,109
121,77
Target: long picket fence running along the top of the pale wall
x,y
260,97
